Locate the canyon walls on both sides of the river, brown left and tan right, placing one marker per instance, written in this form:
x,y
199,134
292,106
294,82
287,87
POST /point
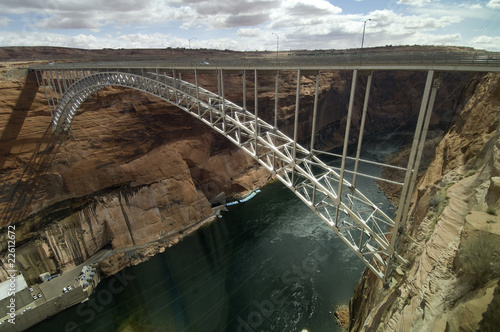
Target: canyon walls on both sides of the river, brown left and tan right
x,y
135,175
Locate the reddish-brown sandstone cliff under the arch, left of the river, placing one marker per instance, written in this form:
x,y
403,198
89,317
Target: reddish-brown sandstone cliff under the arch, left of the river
x,y
133,171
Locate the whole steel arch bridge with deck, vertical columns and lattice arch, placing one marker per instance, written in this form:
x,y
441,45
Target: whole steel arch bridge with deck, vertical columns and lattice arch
x,y
369,232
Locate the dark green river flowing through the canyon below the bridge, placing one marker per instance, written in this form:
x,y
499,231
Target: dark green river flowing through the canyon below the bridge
x,y
269,264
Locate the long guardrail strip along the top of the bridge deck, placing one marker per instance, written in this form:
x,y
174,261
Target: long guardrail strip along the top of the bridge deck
x,y
296,60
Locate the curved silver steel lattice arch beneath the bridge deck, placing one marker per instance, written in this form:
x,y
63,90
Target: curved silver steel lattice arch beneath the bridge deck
x,y
361,224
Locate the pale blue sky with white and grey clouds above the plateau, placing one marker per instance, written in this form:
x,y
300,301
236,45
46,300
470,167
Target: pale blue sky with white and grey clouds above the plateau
x,y
249,24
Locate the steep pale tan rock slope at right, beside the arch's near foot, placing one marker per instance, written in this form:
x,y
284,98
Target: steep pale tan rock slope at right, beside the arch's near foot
x,y
451,240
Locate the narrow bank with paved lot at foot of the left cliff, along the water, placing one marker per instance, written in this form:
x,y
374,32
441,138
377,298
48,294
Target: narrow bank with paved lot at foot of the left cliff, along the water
x,y
38,302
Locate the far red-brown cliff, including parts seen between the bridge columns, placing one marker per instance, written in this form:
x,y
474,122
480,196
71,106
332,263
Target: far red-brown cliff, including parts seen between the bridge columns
x,y
135,172
